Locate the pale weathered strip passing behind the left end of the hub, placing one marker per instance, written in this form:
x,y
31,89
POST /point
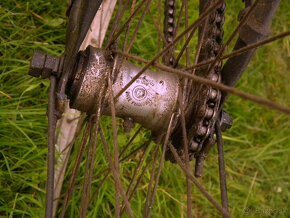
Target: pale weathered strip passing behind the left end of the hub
x,y
69,123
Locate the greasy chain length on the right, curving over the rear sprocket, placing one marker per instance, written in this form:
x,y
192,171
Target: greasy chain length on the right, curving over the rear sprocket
x,y
207,113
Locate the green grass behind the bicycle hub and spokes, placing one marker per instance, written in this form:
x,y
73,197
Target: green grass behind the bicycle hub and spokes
x,y
256,148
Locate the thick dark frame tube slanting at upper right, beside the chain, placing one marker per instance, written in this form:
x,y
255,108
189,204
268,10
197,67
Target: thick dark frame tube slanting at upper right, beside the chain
x,y
256,29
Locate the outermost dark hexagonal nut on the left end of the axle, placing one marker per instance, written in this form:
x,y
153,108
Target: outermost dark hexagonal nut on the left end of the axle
x,y
37,63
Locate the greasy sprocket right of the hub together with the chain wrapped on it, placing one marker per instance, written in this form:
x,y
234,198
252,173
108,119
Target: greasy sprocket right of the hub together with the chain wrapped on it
x,y
200,115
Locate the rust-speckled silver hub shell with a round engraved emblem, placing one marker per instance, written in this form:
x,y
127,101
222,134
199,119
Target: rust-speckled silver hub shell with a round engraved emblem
x,y
148,101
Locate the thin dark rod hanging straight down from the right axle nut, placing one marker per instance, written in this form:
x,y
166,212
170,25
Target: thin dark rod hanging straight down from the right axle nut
x,y
222,173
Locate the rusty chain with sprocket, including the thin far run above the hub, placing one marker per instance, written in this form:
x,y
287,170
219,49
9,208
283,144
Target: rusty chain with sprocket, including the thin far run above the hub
x,y
203,111
